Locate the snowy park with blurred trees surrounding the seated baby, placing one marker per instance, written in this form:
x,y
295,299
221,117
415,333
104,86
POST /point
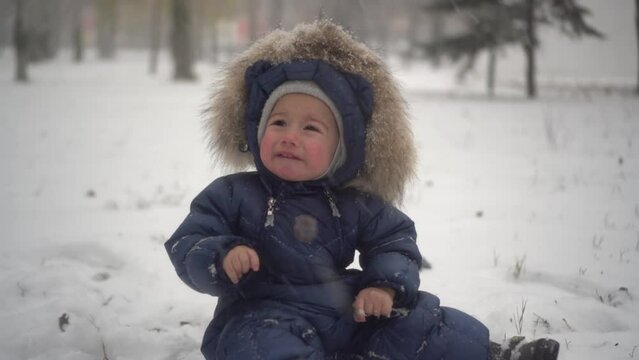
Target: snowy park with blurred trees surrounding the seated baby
x,y
516,201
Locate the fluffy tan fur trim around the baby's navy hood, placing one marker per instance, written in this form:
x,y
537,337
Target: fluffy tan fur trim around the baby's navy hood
x,y
390,156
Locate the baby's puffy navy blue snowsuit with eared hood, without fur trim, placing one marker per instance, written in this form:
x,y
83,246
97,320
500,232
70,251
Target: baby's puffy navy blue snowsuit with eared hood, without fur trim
x,y
299,304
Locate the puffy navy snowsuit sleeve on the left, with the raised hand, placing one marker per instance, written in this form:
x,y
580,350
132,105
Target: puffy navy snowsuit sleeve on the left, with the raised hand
x,y
201,242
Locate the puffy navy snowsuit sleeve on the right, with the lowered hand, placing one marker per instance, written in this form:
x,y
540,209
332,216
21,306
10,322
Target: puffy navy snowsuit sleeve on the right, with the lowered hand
x,y
389,255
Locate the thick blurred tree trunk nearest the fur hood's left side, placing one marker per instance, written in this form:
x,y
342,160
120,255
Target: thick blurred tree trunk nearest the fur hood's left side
x,y
181,40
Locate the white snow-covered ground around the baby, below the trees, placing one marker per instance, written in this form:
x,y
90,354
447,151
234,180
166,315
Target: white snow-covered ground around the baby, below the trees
x,y
528,210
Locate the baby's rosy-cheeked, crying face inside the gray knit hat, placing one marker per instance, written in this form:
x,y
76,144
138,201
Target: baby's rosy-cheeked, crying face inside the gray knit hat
x,y
300,138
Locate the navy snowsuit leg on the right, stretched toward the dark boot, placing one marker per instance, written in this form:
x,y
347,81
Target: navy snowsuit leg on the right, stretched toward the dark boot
x,y
429,332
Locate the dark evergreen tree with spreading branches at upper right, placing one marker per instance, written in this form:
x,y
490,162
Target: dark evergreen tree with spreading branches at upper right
x,y
491,24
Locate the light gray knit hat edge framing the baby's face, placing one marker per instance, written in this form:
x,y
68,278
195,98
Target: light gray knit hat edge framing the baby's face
x,y
308,88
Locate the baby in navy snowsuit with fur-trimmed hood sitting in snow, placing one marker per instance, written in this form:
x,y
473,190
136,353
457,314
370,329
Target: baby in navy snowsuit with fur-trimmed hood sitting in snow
x,y
323,122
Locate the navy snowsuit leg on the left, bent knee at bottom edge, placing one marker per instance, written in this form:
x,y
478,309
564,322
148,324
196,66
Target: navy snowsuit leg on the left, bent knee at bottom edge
x,y
268,332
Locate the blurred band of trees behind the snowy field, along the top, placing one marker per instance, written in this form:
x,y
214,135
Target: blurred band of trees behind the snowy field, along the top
x,y
472,35
